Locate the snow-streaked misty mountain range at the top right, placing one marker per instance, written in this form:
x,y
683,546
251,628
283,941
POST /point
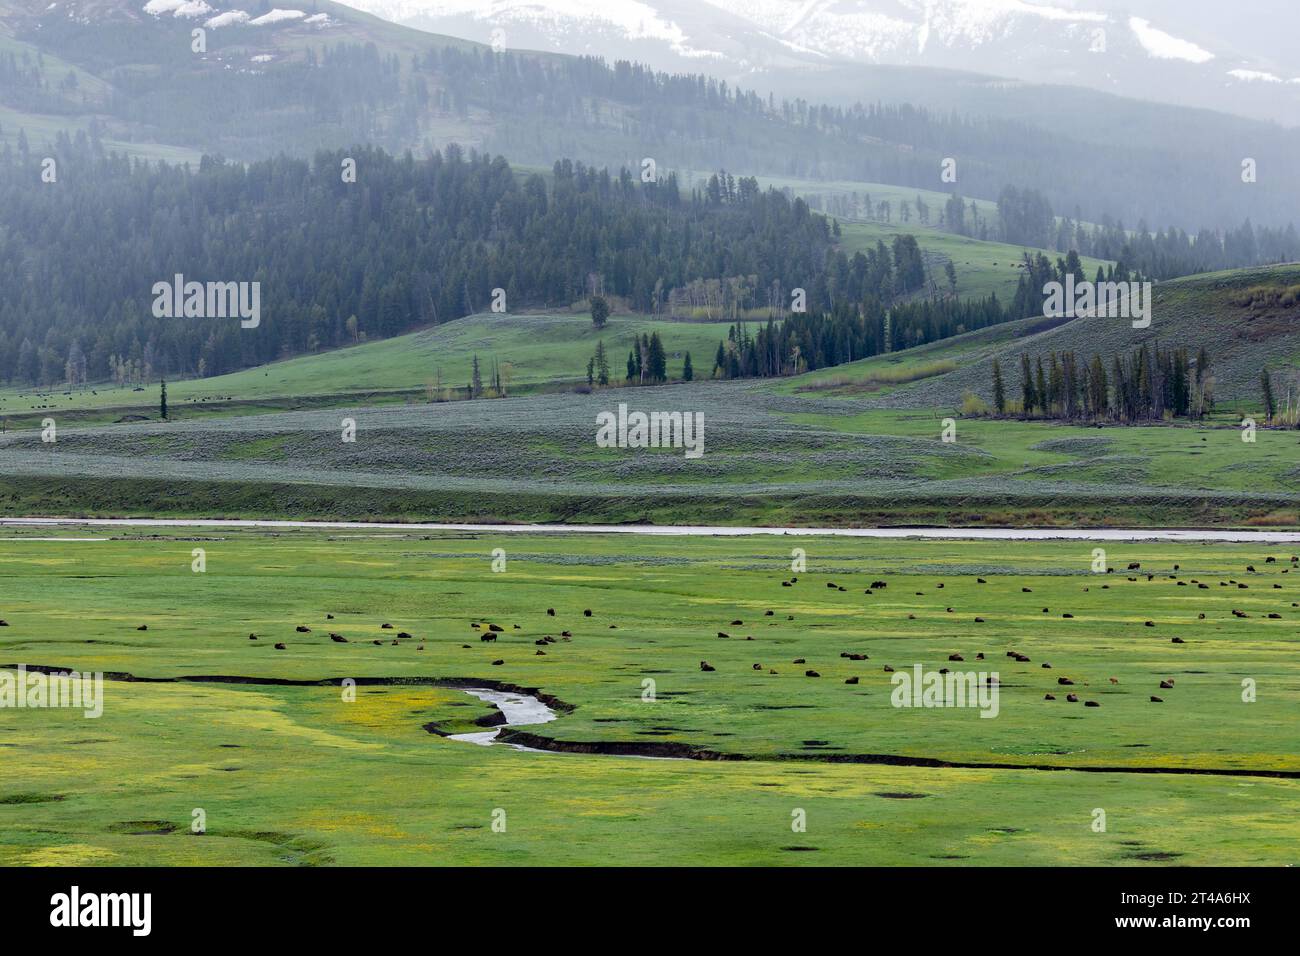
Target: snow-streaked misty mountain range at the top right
x,y
1180,51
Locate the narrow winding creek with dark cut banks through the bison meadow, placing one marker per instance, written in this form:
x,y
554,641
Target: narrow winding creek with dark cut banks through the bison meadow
x,y
551,708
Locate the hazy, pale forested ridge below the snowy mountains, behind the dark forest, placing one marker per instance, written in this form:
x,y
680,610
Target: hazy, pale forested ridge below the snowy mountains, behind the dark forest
x,y
332,76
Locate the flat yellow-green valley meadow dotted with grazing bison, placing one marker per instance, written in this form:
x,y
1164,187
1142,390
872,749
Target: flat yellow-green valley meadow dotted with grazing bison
x,y
292,775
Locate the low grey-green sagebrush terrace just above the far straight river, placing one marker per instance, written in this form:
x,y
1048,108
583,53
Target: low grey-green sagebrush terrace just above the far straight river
x,y
770,458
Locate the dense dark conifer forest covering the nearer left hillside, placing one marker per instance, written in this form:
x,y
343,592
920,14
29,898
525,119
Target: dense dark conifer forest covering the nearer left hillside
x,y
410,244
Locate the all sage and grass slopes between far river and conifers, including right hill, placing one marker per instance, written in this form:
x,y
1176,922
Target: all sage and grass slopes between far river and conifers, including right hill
x,y
821,449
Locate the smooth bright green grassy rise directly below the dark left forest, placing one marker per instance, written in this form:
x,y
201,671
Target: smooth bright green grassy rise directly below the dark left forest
x,y
531,351
